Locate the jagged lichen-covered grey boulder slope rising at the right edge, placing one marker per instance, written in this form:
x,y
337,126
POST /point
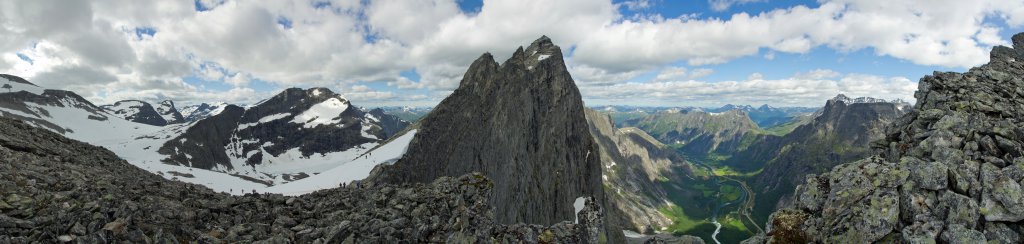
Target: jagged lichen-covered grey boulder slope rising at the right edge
x,y
951,171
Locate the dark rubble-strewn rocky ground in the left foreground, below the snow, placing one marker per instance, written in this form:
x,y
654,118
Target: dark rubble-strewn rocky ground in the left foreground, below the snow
x,y
56,190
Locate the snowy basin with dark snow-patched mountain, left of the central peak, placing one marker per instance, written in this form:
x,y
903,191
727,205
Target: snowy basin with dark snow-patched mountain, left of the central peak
x,y
311,134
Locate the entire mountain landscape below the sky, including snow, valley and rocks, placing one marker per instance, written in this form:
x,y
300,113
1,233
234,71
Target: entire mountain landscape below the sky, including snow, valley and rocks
x,y
515,155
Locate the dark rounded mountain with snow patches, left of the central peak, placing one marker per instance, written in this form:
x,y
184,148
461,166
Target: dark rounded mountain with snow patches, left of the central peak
x,y
293,136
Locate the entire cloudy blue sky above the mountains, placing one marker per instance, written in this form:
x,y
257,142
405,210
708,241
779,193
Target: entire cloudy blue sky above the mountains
x,y
414,53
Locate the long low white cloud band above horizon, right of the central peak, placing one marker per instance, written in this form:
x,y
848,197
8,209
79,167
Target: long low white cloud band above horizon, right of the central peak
x,y
790,92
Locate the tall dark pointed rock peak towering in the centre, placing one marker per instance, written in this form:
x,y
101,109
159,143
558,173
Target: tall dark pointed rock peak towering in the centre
x,y
521,124
